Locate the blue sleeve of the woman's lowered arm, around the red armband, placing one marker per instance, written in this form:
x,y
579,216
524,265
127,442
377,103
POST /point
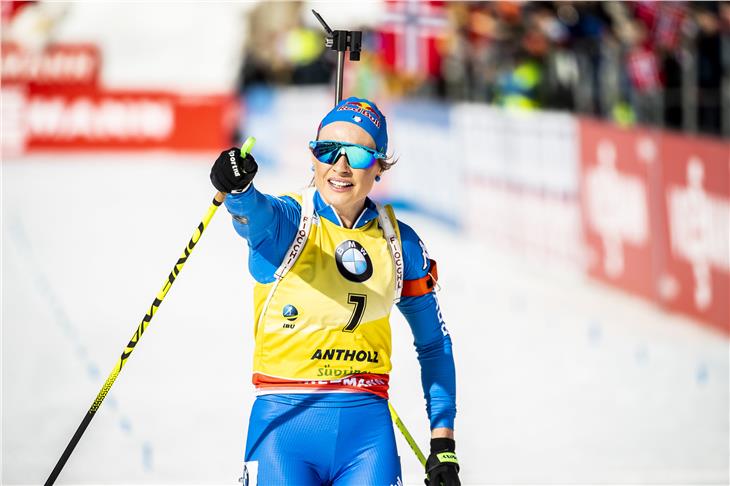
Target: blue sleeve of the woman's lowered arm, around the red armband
x,y
431,338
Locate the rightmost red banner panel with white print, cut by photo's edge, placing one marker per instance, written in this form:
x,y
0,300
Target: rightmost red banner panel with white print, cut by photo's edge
x,y
695,210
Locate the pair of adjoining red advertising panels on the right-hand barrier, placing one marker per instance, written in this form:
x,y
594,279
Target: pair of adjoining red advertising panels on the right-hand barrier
x,y
656,217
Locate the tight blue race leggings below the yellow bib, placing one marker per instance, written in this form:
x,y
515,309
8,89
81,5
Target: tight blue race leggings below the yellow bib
x,y
318,440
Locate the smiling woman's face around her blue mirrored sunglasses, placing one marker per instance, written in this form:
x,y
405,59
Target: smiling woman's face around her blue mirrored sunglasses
x,y
339,184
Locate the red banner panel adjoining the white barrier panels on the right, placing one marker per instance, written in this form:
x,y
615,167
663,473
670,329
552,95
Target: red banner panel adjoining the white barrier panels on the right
x,y
615,191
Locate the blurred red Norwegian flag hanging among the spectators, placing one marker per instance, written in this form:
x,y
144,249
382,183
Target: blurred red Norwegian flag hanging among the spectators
x,y
410,34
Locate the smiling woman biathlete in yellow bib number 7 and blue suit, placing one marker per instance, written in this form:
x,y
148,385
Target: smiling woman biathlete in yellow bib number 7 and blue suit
x,y
328,264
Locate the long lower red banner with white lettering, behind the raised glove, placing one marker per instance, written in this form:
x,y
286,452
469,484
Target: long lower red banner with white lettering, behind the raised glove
x,y
39,120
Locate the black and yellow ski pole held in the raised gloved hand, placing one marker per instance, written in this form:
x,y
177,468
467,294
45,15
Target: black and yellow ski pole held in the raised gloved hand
x,y
217,201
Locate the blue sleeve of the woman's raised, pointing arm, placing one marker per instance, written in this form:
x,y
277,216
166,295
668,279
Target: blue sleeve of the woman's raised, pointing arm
x,y
268,224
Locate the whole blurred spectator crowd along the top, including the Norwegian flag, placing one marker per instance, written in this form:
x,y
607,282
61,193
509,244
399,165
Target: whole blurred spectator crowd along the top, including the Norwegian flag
x,y
655,63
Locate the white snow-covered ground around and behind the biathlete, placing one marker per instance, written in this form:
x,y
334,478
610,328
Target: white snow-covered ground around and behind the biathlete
x,y
560,380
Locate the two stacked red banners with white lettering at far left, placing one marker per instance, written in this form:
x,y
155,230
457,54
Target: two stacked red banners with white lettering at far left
x,y
53,100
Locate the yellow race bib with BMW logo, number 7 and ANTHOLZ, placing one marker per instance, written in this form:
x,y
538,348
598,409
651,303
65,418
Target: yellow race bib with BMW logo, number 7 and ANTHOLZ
x,y
325,323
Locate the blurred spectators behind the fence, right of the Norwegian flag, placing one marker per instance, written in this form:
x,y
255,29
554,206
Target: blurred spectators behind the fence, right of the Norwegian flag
x,y
624,60
